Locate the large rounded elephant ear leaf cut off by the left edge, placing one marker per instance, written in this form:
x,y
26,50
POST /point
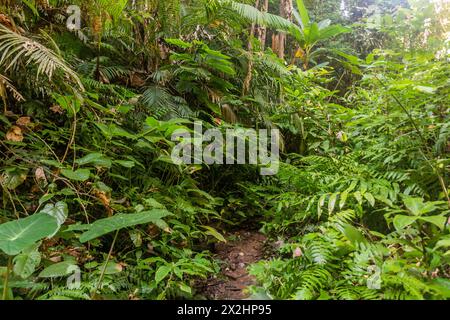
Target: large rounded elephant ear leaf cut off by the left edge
x,y
20,234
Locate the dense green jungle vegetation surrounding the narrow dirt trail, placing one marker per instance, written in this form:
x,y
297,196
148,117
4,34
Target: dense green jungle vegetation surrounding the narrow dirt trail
x,y
94,207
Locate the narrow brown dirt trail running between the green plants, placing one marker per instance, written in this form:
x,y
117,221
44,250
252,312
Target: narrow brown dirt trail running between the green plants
x,y
236,256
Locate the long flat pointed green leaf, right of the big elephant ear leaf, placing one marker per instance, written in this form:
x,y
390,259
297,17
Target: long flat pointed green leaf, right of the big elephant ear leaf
x,y
120,221
